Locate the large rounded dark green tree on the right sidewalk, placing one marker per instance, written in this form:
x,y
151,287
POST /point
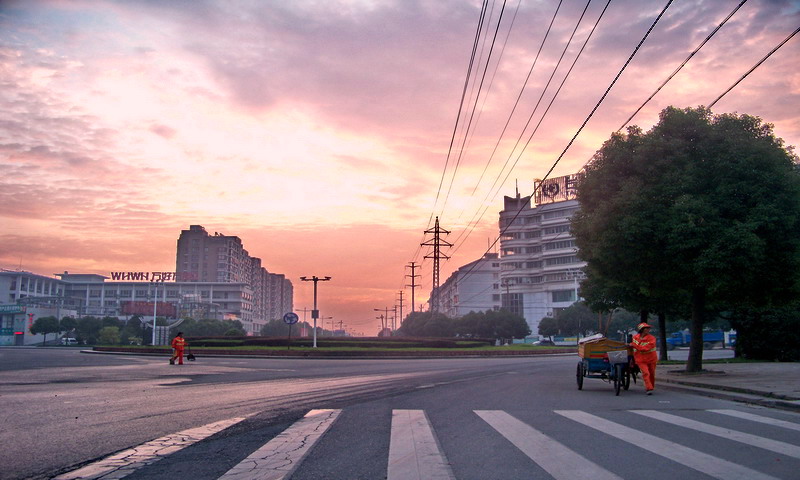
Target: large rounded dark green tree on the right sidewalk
x,y
700,213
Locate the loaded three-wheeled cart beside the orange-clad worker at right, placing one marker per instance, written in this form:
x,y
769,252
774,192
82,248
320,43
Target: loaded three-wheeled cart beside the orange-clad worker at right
x,y
605,359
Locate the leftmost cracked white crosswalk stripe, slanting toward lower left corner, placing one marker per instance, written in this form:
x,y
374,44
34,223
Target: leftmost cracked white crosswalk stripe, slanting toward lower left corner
x,y
124,463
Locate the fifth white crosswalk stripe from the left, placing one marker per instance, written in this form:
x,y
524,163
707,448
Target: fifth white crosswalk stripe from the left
x,y
708,464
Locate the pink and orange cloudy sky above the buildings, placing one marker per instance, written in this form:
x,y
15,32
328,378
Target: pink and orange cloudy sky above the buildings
x,y
327,135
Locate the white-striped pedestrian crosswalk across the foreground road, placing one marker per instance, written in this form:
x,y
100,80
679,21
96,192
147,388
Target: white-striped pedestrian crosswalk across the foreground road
x,y
416,453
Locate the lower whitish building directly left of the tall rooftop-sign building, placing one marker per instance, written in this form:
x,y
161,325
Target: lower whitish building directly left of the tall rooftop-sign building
x,y
474,287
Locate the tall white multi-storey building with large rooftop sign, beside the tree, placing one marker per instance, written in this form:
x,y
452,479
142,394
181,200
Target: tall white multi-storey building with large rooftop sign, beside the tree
x,y
539,268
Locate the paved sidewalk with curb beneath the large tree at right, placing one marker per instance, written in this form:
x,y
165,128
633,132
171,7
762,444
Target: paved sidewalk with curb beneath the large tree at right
x,y
769,384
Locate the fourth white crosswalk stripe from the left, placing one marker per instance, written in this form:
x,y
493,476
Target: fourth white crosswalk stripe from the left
x,y
555,458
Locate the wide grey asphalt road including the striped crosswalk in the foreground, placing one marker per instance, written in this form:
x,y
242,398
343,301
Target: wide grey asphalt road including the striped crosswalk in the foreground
x,y
470,418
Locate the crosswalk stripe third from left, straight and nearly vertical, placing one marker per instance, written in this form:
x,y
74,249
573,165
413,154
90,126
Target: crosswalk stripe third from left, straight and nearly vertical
x,y
414,452
